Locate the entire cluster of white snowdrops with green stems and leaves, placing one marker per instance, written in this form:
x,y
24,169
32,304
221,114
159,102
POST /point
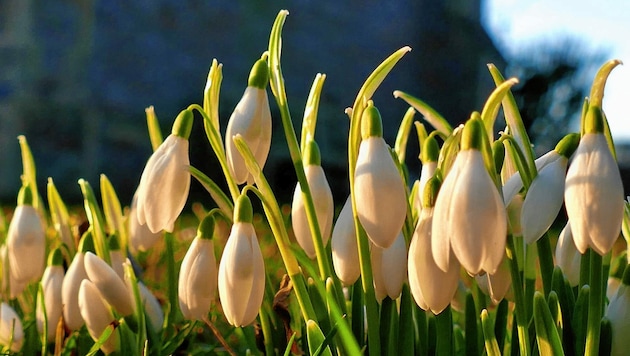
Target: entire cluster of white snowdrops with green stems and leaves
x,y
465,251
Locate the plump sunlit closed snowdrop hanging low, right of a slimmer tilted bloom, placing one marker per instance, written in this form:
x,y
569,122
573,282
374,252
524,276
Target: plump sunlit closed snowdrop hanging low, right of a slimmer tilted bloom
x,y
241,270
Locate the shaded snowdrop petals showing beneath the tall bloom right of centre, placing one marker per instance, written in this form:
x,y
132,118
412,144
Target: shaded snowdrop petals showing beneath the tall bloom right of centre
x,y
389,268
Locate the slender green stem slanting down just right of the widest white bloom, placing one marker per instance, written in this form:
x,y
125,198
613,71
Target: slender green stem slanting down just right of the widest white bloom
x,y
519,299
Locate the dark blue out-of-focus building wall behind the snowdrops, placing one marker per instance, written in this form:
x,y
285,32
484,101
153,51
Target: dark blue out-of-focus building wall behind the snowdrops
x,y
75,76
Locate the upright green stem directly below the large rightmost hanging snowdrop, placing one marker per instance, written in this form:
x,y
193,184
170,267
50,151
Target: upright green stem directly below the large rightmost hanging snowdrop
x,y
594,306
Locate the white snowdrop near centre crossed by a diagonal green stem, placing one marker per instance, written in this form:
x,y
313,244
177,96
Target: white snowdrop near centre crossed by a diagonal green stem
x,y
322,199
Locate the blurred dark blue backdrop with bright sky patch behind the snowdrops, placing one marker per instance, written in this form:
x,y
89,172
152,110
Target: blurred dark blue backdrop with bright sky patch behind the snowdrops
x,y
76,75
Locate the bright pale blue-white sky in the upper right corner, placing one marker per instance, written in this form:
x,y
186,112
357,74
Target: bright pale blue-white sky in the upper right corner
x,y
602,25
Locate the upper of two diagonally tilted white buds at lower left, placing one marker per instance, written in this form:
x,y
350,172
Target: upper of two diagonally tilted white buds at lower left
x,y
111,287
